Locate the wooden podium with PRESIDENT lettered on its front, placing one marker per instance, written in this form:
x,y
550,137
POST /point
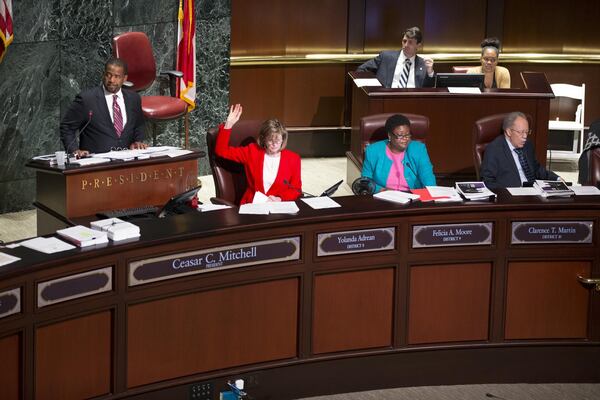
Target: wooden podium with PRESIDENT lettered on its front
x,y
67,192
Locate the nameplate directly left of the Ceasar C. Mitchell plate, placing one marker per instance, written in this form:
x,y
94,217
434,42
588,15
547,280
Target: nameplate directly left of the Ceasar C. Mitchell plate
x,y
74,286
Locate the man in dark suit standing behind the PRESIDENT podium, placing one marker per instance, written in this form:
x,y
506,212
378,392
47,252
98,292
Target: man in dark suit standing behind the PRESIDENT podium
x,y
107,117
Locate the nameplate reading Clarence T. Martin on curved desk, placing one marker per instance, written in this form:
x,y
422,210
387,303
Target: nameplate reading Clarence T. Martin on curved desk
x,y
530,232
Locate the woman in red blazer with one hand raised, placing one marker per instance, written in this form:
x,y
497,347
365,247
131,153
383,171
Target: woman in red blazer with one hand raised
x,y
270,168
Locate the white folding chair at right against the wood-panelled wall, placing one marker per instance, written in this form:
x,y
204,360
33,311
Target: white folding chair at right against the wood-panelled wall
x,y
563,90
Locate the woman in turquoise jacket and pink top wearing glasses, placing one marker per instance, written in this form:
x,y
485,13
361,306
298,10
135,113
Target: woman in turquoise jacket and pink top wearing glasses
x,y
398,163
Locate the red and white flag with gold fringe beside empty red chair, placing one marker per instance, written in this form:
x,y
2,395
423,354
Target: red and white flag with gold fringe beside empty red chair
x,y
186,53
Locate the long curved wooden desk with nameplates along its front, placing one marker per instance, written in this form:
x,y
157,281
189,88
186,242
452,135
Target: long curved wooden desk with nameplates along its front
x,y
293,305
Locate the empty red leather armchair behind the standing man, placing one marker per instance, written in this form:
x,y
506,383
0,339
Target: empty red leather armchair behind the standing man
x,y
136,50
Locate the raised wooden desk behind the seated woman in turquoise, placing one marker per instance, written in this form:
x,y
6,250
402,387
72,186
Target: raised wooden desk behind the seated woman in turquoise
x,y
451,117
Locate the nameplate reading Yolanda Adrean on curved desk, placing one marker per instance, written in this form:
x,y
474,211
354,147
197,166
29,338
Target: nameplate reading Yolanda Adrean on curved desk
x,y
346,242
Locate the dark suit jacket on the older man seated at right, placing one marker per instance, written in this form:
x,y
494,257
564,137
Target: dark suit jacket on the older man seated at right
x,y
499,170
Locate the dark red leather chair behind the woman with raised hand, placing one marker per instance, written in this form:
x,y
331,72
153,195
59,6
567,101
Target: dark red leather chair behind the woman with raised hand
x,y
229,176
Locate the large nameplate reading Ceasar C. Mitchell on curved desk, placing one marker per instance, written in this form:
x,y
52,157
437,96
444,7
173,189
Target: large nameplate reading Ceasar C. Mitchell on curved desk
x,y
196,262
